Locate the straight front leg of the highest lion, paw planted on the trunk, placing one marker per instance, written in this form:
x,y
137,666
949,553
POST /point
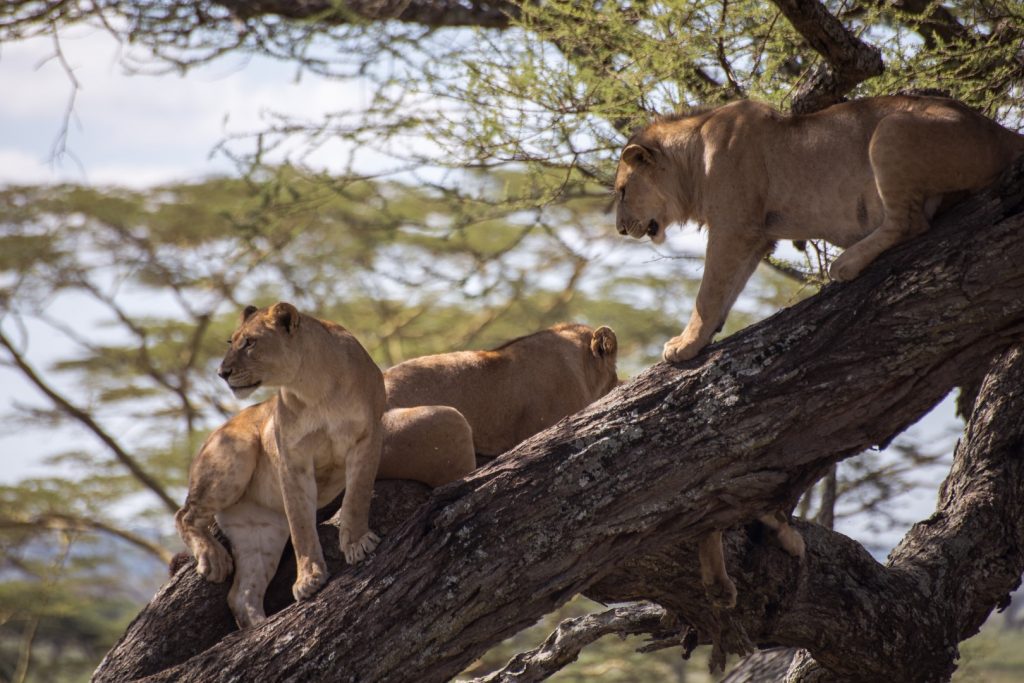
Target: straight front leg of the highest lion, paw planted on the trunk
x,y
731,262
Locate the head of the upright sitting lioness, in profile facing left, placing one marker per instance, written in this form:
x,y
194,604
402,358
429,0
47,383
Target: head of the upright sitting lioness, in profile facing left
x,y
262,351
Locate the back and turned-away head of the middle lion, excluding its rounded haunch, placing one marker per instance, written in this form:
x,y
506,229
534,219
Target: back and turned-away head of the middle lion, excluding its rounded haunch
x,y
517,391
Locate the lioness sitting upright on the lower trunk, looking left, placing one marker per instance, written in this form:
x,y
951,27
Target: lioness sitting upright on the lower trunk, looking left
x,y
265,474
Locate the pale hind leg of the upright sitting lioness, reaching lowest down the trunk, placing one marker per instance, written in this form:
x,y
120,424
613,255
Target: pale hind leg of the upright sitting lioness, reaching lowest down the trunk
x,y
259,536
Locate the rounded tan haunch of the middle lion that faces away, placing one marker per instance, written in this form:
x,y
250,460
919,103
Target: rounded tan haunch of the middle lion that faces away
x,y
430,444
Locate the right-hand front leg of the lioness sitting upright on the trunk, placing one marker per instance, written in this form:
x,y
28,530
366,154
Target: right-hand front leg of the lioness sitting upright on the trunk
x,y
353,521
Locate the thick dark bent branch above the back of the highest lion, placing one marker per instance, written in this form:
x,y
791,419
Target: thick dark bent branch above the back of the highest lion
x,y
848,60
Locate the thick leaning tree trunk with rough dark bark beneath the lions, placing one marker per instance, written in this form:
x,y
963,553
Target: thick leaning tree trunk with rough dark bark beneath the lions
x,y
610,501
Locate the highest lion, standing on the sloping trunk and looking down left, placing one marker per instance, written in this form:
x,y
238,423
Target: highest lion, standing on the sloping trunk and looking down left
x,y
864,176
